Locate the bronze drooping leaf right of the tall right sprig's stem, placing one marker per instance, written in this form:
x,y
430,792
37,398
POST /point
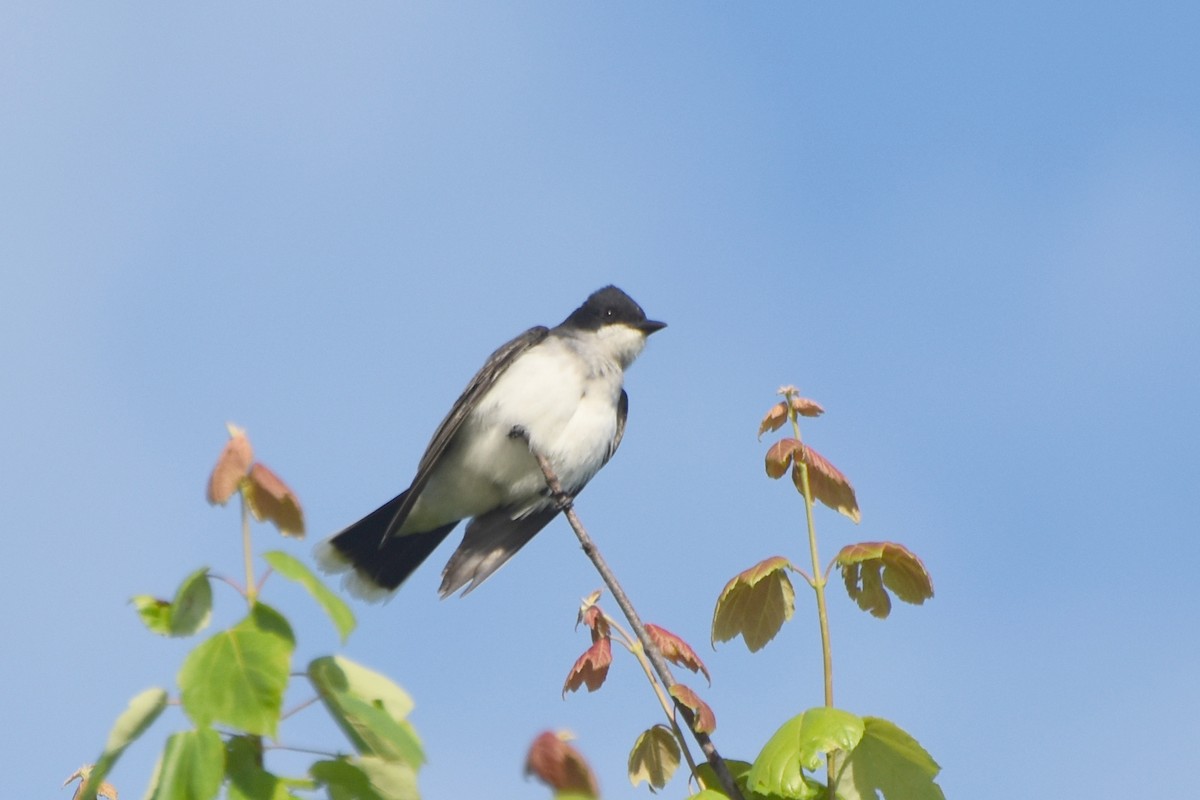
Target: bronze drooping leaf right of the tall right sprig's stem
x,y
871,569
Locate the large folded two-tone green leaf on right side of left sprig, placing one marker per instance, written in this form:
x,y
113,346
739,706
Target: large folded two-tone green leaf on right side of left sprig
x,y
369,708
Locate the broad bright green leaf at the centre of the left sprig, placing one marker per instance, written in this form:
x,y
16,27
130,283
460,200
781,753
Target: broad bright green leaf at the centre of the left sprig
x,y
238,677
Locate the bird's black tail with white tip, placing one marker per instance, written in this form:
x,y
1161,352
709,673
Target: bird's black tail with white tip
x,y
376,564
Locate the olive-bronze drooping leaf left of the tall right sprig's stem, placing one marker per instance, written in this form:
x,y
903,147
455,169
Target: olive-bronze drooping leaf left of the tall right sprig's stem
x,y
755,604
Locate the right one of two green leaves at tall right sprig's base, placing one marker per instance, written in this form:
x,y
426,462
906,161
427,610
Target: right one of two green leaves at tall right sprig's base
x,y
891,762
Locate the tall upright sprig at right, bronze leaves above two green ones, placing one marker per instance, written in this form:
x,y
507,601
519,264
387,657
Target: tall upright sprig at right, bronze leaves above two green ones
x,y
863,756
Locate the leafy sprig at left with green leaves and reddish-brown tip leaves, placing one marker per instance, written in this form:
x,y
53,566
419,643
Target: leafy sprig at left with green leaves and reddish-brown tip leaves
x,y
232,685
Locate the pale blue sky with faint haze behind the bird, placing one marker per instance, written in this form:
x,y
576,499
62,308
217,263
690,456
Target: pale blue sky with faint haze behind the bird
x,y
973,232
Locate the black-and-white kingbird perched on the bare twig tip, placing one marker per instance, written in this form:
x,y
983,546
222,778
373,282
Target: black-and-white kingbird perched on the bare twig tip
x,y
553,392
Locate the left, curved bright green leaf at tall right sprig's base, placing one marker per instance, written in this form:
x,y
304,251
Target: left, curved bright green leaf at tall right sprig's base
x,y
799,744
